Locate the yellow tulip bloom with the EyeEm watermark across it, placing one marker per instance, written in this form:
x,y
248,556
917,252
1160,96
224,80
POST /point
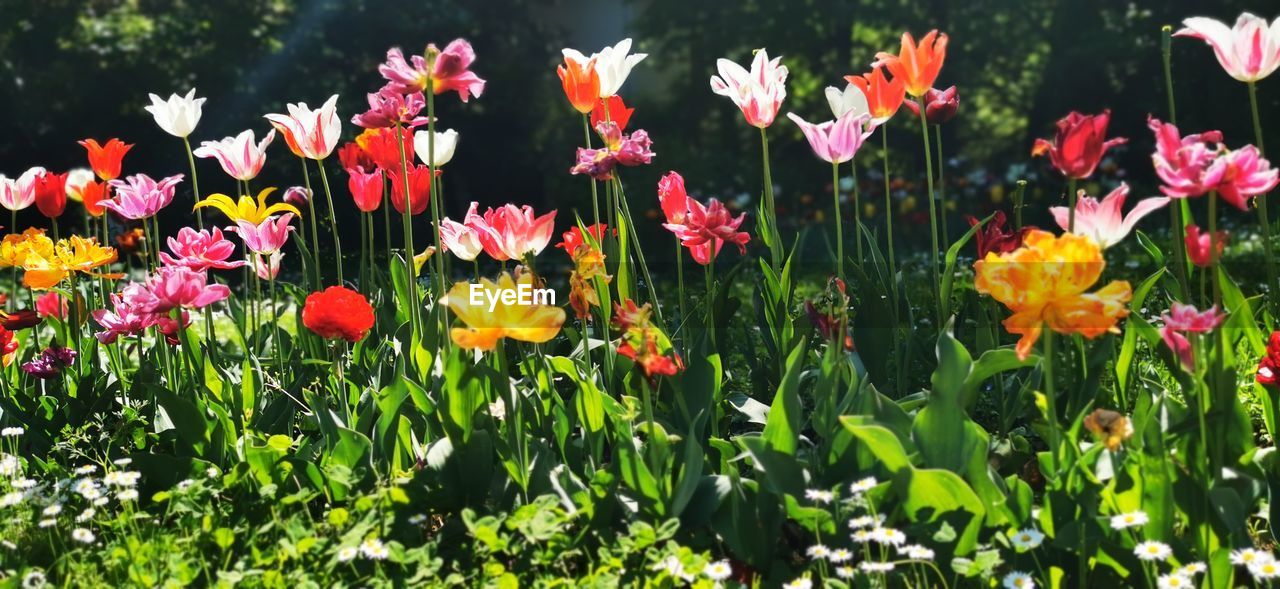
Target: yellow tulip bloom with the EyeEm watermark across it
x,y
505,309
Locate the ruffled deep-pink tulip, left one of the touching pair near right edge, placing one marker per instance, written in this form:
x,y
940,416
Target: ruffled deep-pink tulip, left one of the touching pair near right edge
x,y
1182,162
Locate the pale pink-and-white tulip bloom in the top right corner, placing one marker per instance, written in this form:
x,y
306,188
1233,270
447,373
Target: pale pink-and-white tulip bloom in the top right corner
x,y
1249,52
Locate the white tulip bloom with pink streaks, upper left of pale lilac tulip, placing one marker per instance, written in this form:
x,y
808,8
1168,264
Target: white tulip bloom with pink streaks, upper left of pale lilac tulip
x,y
758,93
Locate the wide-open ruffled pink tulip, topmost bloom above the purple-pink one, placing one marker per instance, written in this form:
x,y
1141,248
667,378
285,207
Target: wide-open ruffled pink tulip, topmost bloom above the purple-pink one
x,y
449,71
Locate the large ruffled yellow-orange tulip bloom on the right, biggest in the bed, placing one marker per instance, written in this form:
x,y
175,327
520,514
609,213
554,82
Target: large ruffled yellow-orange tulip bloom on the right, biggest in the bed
x,y
1045,282
